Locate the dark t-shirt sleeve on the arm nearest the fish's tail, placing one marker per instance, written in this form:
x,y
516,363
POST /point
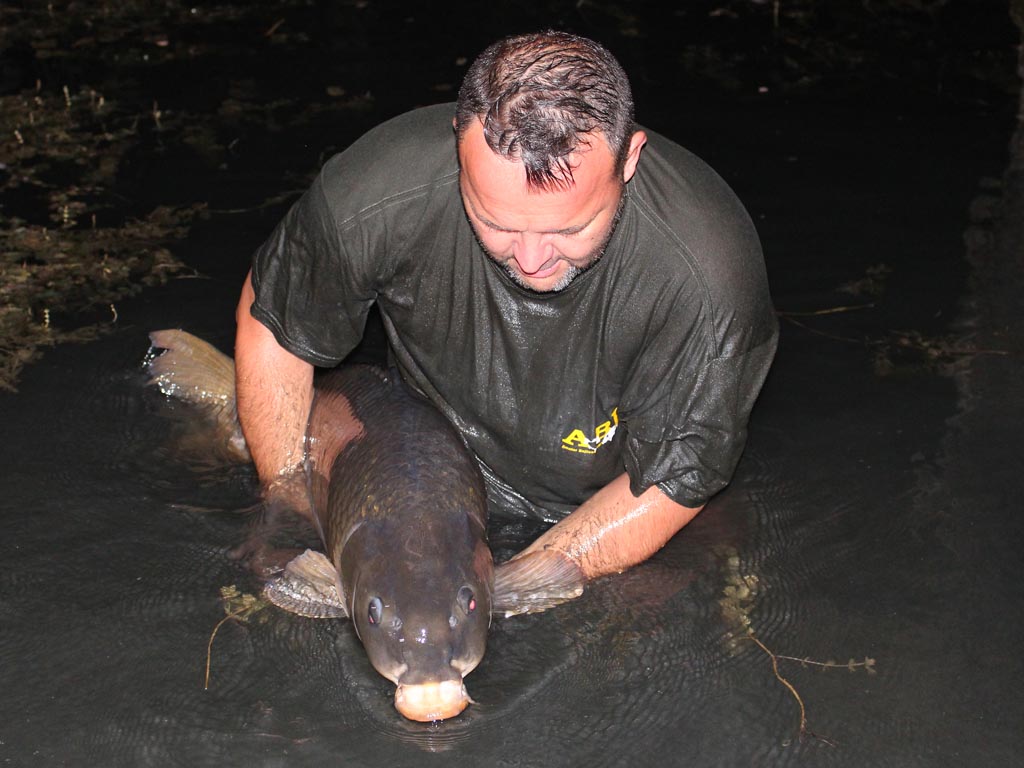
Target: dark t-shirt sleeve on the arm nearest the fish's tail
x,y
314,286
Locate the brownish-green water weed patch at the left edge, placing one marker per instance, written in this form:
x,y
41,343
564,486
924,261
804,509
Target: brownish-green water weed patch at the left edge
x,y
62,157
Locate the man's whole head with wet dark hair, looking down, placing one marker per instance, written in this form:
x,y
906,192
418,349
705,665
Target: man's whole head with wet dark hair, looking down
x,y
546,146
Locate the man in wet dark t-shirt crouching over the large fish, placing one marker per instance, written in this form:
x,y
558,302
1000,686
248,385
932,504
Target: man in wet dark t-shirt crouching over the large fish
x,y
586,303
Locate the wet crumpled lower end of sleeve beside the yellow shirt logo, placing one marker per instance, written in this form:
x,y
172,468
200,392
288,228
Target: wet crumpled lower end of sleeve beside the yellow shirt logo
x,y
689,436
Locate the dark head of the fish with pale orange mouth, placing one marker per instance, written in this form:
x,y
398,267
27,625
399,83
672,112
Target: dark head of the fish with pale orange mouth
x,y
421,607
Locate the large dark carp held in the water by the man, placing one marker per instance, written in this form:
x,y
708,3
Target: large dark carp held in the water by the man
x,y
400,505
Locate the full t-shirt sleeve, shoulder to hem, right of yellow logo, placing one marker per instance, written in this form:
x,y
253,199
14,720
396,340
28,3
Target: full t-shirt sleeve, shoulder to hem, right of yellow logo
x,y
711,338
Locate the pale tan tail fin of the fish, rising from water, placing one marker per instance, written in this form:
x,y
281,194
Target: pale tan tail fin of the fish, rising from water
x,y
196,372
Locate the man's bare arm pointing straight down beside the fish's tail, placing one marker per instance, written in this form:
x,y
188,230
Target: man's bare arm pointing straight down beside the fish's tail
x,y
275,393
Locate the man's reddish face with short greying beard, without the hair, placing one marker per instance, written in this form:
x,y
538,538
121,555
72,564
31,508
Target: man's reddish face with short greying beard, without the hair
x,y
544,239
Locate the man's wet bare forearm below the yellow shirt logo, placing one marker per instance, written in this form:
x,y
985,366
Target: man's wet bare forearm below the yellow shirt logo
x,y
615,530
